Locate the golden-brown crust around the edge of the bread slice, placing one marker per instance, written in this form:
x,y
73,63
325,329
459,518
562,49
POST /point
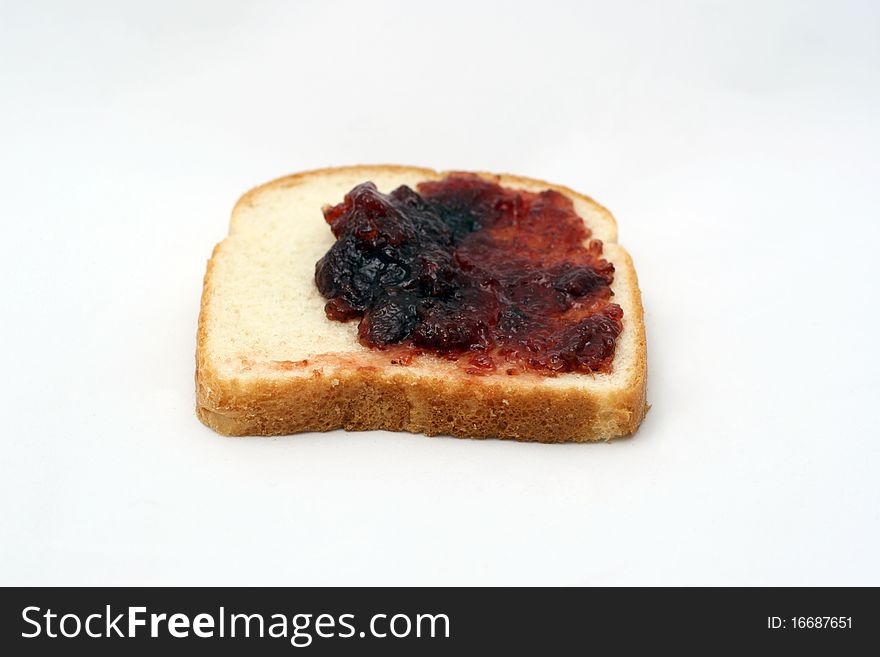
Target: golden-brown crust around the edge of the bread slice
x,y
369,397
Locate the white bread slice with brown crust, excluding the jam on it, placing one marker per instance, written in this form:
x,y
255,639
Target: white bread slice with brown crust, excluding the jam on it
x,y
269,362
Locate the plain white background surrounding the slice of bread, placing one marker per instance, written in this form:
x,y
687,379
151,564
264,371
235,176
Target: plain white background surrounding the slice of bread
x,y
737,144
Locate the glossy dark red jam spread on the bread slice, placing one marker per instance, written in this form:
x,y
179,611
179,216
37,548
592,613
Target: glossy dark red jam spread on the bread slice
x,y
502,280
